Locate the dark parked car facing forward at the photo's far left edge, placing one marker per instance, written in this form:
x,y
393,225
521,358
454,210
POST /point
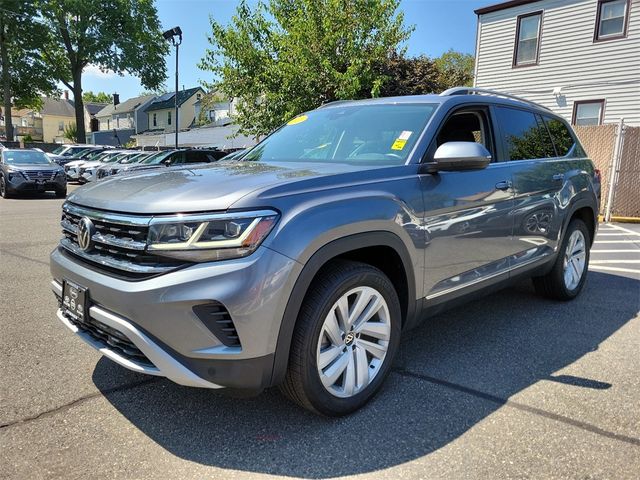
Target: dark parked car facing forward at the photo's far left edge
x,y
26,170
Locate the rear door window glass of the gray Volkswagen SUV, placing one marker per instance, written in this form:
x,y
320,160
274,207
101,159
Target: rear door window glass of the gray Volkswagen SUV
x,y
524,136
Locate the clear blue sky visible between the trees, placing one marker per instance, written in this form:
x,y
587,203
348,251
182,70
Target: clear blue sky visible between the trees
x,y
439,26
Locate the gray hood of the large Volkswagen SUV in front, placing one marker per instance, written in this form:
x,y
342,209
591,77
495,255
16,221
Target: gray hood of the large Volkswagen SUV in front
x,y
207,188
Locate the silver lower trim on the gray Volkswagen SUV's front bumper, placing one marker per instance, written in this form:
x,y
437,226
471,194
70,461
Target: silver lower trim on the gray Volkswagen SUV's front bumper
x,y
164,364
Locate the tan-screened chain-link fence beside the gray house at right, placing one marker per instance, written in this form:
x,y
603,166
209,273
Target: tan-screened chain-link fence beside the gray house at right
x,y
622,162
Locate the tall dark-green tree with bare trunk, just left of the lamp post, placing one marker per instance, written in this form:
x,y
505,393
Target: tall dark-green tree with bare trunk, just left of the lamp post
x,y
115,35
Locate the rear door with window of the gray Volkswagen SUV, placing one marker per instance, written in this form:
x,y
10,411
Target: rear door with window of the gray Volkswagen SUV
x,y
537,176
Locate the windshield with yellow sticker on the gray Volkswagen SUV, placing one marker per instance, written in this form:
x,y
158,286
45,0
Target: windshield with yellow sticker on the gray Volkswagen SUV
x,y
382,134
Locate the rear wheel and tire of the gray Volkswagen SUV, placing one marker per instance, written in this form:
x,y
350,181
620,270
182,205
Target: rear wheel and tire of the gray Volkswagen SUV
x,y
569,273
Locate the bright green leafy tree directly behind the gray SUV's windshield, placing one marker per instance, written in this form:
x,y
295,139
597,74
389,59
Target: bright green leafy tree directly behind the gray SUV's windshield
x,y
284,57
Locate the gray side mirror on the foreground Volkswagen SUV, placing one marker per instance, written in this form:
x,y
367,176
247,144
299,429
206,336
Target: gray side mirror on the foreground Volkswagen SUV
x,y
457,156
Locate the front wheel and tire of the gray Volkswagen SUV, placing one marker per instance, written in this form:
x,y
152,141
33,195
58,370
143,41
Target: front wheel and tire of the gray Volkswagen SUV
x,y
345,339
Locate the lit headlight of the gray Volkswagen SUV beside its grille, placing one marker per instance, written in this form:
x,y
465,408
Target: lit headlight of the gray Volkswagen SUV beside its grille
x,y
202,238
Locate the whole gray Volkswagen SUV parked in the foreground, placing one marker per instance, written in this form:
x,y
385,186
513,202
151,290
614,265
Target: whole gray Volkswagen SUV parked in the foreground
x,y
302,263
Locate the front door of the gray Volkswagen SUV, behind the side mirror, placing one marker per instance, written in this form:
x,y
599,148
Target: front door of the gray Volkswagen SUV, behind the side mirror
x,y
468,213
